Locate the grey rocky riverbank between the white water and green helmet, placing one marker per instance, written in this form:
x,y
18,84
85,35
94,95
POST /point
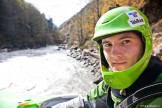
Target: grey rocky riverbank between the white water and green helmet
x,y
88,58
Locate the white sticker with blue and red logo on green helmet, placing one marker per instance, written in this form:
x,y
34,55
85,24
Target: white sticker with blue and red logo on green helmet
x,y
135,19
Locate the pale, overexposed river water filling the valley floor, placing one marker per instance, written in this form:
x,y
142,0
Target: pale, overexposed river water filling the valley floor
x,y
44,71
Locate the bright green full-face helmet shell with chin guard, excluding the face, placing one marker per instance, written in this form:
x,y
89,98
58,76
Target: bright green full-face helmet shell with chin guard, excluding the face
x,y
119,20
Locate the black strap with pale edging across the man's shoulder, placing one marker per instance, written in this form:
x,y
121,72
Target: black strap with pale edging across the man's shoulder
x,y
148,92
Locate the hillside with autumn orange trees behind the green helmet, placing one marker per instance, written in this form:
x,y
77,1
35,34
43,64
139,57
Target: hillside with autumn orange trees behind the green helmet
x,y
80,27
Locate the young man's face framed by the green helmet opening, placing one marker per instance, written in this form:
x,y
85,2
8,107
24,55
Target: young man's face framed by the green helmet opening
x,y
122,50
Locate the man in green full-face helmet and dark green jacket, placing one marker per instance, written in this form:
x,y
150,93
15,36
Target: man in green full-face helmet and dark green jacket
x,y
124,39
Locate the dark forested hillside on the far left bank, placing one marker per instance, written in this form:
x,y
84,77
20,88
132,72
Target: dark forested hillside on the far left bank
x,y
23,26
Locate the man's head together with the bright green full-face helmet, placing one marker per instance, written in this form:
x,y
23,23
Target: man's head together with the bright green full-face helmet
x,y
124,38
